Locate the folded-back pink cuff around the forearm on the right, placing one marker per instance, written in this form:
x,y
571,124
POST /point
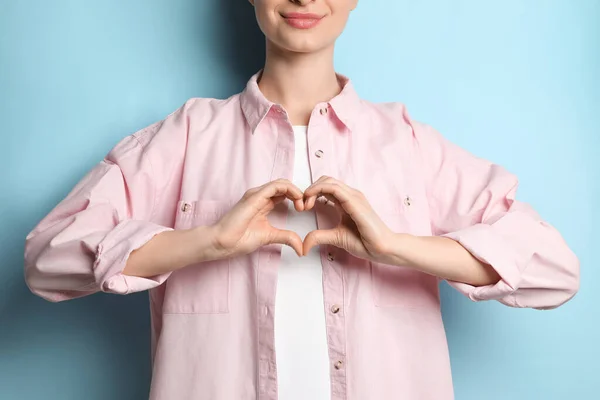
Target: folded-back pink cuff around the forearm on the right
x,y
492,248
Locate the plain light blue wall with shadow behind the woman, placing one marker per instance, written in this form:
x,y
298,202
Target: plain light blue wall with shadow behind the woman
x,y
516,81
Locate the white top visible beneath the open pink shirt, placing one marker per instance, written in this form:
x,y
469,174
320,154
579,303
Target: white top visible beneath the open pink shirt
x,y
300,335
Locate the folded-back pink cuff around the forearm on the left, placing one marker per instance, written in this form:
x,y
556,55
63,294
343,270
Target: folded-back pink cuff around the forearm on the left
x,y
113,252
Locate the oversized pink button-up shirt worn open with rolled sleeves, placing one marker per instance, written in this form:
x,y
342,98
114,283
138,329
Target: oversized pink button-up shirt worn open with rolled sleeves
x,y
212,324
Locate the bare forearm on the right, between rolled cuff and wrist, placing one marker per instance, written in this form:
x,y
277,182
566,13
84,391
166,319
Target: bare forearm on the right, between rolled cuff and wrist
x,y
441,257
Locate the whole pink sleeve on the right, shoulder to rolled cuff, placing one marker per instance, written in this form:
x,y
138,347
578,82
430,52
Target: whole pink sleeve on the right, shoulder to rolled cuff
x,y
472,201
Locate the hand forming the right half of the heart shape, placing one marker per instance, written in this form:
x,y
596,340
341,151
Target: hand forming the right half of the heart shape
x,y
361,232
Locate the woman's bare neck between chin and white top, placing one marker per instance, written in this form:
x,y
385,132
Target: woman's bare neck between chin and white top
x,y
298,81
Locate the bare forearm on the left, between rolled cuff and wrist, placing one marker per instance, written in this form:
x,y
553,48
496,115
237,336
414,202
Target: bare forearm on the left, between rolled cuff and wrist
x,y
170,251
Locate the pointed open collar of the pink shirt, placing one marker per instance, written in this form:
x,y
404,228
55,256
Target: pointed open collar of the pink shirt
x,y
255,106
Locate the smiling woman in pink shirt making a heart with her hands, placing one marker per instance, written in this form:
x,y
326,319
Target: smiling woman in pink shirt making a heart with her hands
x,y
381,208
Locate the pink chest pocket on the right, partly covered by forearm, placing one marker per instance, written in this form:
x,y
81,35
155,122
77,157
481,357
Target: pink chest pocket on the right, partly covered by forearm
x,y
402,286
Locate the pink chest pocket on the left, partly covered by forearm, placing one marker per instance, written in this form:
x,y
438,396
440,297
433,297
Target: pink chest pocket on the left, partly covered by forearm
x,y
201,288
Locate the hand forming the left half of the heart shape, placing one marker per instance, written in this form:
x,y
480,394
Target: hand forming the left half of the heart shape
x,y
245,227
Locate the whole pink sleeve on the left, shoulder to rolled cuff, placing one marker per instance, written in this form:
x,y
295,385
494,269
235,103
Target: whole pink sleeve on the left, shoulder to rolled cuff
x,y
83,244
